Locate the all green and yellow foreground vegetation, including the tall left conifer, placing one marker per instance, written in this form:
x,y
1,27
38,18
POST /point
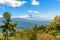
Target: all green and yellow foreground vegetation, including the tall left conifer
x,y
50,31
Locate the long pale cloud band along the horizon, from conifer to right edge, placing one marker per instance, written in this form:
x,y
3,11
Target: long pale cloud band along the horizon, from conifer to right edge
x,y
38,16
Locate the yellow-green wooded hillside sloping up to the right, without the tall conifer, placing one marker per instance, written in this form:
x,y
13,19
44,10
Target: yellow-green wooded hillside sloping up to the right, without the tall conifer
x,y
44,32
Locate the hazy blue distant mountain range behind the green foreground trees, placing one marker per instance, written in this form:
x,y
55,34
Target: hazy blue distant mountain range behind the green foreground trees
x,y
26,24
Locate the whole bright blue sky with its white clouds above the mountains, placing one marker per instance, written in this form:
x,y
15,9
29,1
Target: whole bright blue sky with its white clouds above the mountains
x,y
31,9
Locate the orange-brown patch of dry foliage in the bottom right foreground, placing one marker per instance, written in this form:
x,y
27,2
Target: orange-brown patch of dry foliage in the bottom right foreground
x,y
45,36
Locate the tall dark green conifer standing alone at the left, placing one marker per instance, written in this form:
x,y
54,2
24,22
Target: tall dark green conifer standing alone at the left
x,y
8,26
